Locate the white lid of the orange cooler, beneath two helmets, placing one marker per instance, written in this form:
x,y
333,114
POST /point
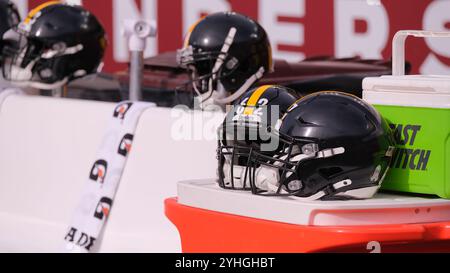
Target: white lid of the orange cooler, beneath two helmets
x,y
384,209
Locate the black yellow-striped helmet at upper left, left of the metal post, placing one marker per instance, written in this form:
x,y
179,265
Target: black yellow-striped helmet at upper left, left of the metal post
x,y
55,44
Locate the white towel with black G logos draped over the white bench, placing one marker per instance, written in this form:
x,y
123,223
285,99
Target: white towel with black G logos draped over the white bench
x,y
104,177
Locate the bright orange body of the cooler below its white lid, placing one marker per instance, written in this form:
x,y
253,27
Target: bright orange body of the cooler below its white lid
x,y
204,231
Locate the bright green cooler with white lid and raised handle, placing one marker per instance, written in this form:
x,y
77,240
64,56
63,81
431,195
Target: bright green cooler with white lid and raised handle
x,y
418,109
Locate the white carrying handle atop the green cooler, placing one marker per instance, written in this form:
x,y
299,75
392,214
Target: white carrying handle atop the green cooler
x,y
398,47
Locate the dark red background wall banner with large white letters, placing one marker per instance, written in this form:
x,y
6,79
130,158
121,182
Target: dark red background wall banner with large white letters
x,y
341,28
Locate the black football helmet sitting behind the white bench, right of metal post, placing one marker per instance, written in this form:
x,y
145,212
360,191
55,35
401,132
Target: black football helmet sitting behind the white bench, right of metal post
x,y
225,54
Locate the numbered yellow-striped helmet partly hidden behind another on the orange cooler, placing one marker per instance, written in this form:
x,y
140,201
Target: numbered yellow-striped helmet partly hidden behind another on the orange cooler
x,y
247,129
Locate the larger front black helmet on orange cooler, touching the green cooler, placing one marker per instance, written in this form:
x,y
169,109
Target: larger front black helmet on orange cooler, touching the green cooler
x,y
333,146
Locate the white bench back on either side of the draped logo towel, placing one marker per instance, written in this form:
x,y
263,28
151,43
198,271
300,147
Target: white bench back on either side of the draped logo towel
x,y
47,148
